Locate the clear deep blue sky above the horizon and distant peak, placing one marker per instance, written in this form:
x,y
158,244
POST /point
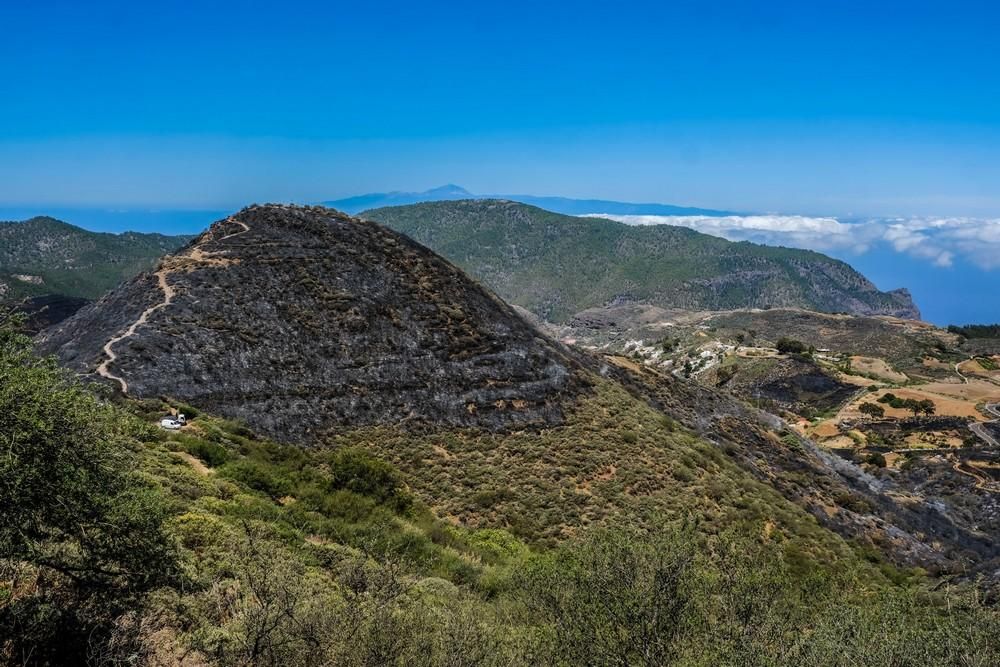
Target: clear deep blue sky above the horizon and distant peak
x,y
817,108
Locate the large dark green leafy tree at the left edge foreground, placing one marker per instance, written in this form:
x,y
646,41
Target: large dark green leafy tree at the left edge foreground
x,y
81,535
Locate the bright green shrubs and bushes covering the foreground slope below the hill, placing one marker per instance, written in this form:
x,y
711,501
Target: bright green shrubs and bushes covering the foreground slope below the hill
x,y
124,545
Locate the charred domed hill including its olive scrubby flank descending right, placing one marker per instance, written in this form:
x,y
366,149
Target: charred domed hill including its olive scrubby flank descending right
x,y
319,329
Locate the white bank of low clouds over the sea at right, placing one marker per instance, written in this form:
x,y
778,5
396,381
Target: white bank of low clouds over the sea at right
x,y
940,241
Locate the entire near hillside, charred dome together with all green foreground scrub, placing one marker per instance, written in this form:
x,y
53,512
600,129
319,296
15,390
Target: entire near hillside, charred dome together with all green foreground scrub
x,y
388,465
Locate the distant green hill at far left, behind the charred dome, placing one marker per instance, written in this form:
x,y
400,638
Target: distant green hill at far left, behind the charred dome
x,y
46,256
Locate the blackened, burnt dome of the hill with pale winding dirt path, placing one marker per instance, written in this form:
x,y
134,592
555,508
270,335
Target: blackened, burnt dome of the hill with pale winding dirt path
x,y
298,320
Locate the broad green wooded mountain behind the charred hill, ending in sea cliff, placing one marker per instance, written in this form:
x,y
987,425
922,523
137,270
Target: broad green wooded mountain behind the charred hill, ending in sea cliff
x,y
556,265
